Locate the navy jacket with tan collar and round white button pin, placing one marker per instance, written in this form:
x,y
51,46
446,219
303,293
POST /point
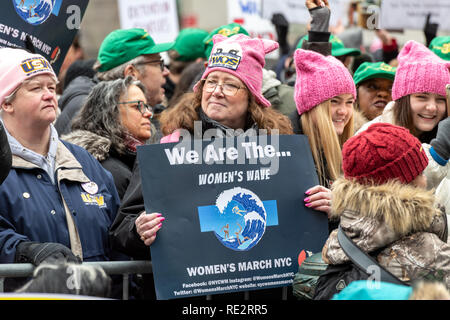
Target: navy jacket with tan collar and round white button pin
x,y
32,208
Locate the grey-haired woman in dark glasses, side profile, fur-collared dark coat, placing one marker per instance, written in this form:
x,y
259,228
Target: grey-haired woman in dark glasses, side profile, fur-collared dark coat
x,y
114,120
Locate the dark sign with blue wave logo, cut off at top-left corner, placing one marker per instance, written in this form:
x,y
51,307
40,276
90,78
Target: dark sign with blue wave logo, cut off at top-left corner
x,y
50,24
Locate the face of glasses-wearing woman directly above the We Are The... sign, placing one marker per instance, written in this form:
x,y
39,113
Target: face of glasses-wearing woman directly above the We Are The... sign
x,y
225,99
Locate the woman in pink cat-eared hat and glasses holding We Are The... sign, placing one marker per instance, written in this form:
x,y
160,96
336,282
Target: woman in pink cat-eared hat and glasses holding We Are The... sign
x,y
227,101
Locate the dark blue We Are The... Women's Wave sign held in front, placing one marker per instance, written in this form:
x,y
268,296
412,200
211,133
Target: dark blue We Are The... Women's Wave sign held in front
x,y
235,215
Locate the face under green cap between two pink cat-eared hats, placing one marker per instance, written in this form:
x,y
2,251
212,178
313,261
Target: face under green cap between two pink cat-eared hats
x,y
373,96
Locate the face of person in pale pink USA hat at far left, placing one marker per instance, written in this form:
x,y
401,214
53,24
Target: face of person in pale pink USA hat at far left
x,y
35,102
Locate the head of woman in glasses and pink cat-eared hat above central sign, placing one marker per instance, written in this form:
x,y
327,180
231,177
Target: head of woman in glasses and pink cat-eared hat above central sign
x,y
228,96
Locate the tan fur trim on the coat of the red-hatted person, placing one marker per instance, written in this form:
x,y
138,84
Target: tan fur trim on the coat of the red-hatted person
x,y
404,208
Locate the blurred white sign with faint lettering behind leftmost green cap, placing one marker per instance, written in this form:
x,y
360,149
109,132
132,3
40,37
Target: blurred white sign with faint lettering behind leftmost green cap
x,y
158,17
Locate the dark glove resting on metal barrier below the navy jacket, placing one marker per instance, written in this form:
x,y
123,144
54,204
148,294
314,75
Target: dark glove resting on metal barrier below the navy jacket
x,y
36,253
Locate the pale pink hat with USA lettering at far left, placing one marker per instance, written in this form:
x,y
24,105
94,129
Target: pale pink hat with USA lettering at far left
x,y
17,65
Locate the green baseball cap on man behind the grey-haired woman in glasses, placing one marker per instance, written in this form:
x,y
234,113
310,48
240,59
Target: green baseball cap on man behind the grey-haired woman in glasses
x,y
123,45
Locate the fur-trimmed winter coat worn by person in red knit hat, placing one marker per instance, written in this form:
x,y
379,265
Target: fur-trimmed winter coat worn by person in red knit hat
x,y
400,220
